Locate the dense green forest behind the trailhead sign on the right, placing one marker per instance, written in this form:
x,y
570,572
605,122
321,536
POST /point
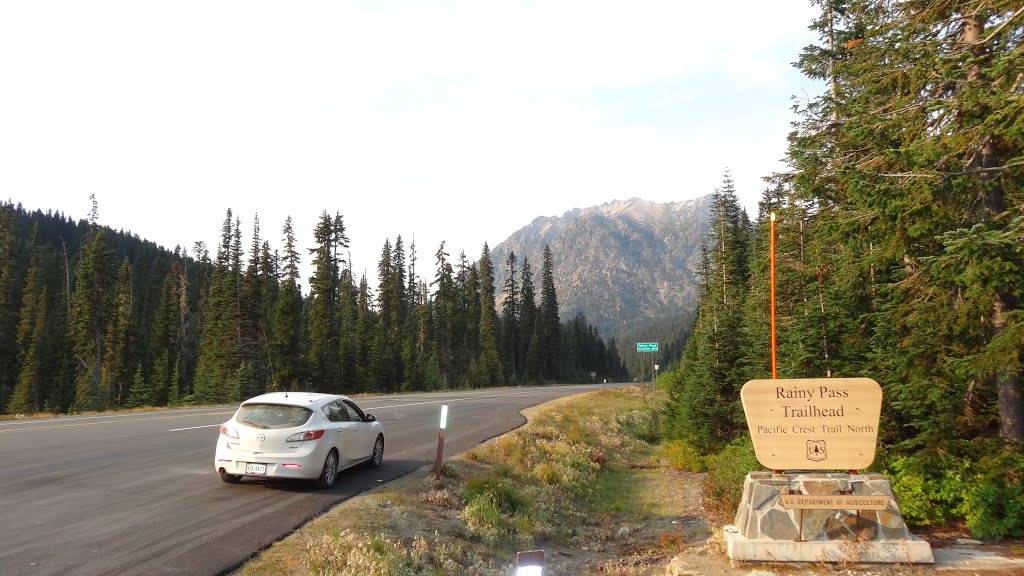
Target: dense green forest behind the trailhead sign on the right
x,y
901,256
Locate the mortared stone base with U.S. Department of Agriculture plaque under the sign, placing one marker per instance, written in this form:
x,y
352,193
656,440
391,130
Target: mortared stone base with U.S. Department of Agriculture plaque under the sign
x,y
766,531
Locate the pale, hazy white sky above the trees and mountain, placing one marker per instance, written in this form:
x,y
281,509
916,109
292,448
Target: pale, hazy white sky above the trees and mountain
x,y
437,121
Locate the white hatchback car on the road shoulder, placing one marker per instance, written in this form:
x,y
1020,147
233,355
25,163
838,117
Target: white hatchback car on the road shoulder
x,y
297,435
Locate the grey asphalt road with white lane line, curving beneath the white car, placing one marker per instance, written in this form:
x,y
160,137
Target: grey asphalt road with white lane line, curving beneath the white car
x,y
137,493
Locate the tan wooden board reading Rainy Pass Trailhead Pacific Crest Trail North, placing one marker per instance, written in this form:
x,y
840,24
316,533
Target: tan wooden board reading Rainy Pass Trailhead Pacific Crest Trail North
x,y
814,424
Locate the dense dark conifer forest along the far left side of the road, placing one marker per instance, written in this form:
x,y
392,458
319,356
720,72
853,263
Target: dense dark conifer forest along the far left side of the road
x,y
94,319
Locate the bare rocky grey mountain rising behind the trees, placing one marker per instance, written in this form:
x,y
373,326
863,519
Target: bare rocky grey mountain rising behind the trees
x,y
624,265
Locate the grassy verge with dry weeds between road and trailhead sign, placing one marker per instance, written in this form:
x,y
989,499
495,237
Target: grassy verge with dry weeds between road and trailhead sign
x,y
584,480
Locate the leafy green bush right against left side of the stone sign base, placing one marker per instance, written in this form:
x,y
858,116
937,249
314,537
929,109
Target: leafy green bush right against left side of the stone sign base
x,y
727,472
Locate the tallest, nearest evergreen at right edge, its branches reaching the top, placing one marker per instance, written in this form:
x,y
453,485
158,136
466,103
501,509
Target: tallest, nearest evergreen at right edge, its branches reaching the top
x,y
913,156
